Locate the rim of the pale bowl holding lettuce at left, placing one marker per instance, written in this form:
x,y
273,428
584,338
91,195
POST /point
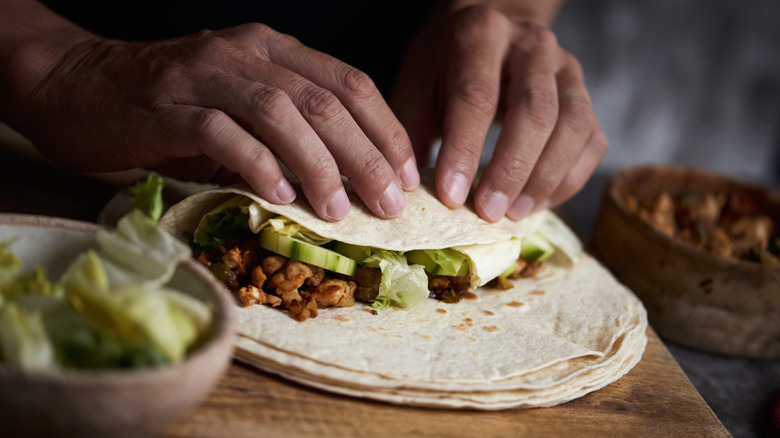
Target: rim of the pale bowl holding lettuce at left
x,y
223,333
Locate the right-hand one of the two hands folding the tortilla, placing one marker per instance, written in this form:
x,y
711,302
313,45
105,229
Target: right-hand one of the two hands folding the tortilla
x,y
474,65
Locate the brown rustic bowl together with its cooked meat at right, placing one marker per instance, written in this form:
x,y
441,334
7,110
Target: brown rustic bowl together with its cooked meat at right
x,y
702,251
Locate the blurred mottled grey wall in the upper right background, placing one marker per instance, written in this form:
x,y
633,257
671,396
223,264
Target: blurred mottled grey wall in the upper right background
x,y
694,82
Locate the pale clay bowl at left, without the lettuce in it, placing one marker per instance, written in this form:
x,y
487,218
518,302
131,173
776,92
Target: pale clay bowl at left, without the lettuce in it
x,y
106,403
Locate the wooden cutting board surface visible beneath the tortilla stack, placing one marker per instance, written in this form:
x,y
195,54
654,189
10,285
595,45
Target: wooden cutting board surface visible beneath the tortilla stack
x,y
654,399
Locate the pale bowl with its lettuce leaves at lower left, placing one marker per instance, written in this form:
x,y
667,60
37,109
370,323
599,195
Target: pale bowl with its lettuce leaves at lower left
x,y
105,332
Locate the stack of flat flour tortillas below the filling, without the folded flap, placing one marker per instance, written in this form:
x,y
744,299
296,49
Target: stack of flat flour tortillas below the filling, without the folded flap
x,y
544,342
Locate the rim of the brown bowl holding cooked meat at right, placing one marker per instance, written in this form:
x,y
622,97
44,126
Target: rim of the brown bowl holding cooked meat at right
x,y
615,189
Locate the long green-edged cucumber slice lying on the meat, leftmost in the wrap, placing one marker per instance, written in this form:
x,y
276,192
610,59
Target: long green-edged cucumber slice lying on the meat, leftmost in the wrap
x,y
306,252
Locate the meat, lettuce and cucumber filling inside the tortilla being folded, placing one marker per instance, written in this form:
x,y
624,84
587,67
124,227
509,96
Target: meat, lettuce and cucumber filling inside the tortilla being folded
x,y
265,258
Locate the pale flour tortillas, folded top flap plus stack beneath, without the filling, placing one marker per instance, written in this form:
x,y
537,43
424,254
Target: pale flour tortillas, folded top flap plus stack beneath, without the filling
x,y
571,330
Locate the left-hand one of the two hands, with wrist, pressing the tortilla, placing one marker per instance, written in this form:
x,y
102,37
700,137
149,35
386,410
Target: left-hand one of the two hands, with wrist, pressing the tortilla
x,y
220,102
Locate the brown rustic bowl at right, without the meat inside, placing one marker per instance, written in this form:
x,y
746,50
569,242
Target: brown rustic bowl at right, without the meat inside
x,y
693,297
